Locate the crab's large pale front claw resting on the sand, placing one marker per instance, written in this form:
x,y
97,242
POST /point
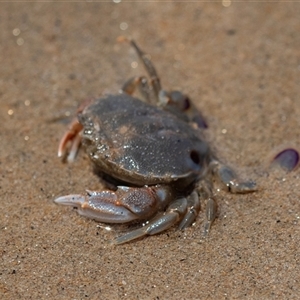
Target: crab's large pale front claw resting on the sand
x,y
123,205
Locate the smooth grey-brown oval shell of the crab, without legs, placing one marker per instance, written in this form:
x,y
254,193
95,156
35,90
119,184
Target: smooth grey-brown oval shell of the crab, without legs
x,y
141,144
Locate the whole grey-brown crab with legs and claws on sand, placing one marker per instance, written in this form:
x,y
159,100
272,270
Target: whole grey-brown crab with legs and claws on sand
x,y
152,152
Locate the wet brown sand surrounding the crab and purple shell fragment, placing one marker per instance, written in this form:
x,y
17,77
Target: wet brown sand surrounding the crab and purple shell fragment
x,y
240,65
